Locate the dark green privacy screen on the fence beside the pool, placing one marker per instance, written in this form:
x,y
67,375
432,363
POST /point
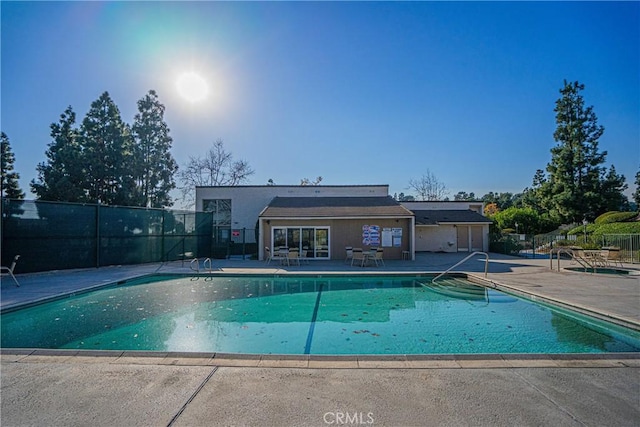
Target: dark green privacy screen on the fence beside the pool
x,y
55,236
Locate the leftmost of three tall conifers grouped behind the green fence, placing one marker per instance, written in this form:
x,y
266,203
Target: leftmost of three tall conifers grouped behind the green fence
x,y
62,176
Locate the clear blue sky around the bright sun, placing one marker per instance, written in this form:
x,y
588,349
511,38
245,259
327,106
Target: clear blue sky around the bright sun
x,y
356,92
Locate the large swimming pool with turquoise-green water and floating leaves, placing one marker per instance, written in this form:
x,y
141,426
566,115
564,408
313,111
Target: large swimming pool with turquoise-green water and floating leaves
x,y
330,315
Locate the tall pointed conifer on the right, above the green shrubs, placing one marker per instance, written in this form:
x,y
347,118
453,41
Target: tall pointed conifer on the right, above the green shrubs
x,y
573,187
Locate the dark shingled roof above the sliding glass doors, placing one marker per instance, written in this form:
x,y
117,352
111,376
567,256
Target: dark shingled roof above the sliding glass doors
x,y
296,207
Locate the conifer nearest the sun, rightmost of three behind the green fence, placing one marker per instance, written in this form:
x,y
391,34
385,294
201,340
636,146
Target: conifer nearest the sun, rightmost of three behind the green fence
x,y
154,166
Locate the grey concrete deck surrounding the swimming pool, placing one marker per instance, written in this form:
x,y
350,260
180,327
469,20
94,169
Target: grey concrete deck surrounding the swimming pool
x,y
43,387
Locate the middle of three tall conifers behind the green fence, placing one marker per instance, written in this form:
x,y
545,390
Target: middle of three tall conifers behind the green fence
x,y
108,152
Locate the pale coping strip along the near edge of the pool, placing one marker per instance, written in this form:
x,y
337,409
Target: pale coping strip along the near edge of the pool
x,y
428,361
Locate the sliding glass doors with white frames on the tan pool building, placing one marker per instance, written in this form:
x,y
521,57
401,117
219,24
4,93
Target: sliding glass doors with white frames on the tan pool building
x,y
312,242
